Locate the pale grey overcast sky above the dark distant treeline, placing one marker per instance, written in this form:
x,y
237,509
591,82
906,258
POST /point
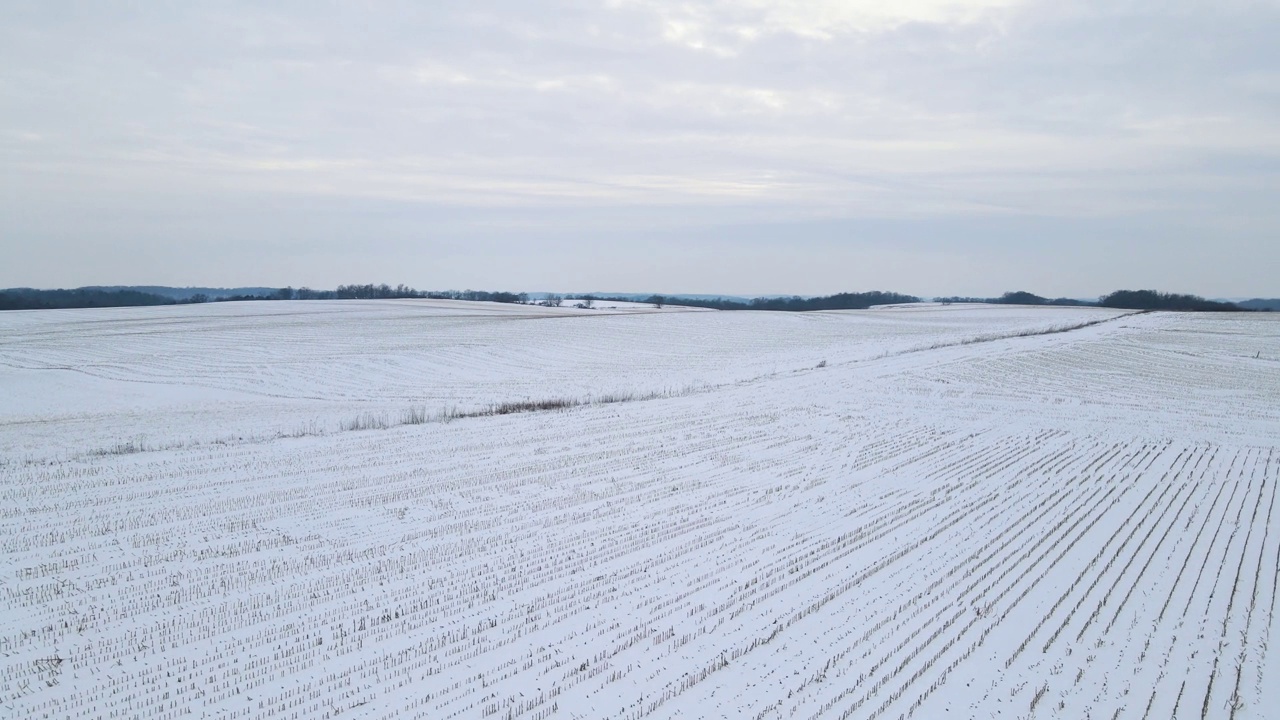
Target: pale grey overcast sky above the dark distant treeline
x,y
748,147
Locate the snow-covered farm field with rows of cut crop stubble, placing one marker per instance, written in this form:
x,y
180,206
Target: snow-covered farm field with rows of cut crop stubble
x,y
936,512
